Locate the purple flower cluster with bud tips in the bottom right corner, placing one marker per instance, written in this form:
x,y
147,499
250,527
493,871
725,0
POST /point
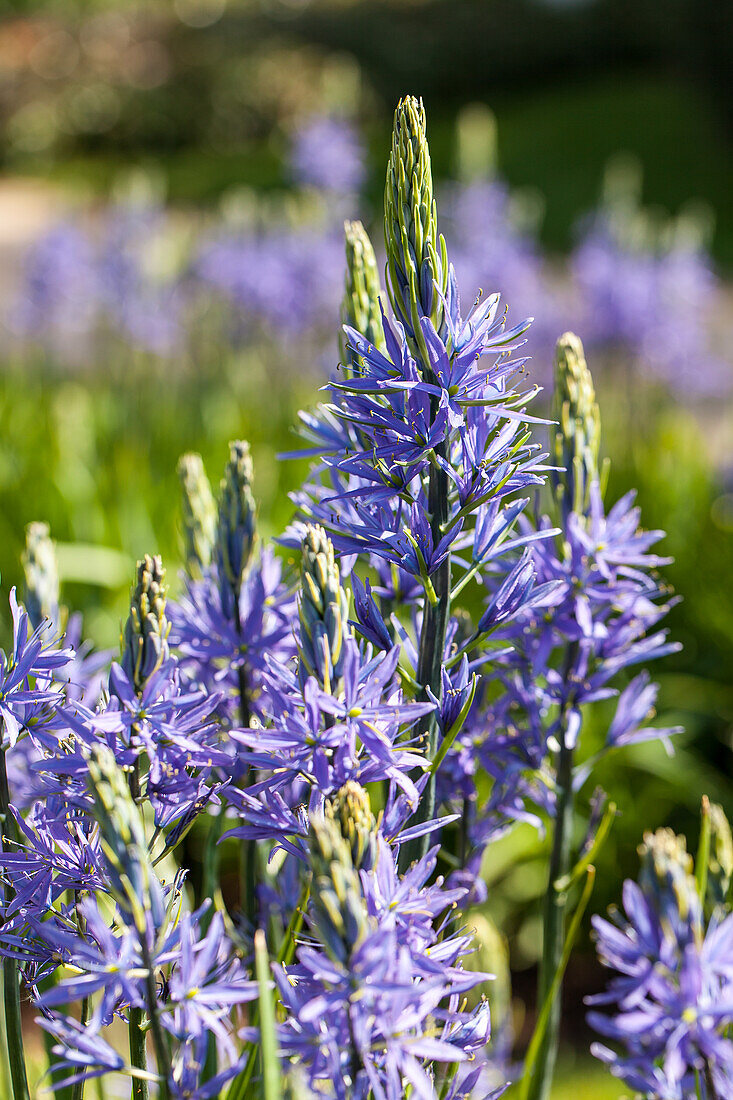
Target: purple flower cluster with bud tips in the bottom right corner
x,y
672,994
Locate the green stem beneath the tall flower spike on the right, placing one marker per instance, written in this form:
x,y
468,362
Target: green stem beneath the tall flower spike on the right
x,y
554,923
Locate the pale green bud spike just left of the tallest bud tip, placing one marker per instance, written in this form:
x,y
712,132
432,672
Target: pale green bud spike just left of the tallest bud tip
x,y
362,300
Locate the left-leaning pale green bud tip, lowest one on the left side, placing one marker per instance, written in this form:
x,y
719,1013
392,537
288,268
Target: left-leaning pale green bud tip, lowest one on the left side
x,y
134,883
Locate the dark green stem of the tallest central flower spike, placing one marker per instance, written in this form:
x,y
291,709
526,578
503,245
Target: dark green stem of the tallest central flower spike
x,y
432,650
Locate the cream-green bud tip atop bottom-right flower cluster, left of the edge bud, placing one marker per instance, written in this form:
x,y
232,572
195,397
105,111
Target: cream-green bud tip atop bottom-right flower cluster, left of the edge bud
x,y
666,875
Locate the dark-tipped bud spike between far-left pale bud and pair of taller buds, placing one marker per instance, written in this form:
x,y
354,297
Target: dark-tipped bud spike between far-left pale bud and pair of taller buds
x,y
145,642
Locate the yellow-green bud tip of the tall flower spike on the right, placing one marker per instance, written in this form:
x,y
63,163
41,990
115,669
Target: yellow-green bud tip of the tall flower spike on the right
x,y
577,435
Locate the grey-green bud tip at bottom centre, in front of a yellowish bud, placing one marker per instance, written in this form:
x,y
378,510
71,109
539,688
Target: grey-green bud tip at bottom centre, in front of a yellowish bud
x,y
340,915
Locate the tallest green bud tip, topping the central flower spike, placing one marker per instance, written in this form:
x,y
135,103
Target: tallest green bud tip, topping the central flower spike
x,y
418,262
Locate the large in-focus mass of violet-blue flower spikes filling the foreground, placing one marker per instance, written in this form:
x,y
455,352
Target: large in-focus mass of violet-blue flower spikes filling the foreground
x,y
276,714
